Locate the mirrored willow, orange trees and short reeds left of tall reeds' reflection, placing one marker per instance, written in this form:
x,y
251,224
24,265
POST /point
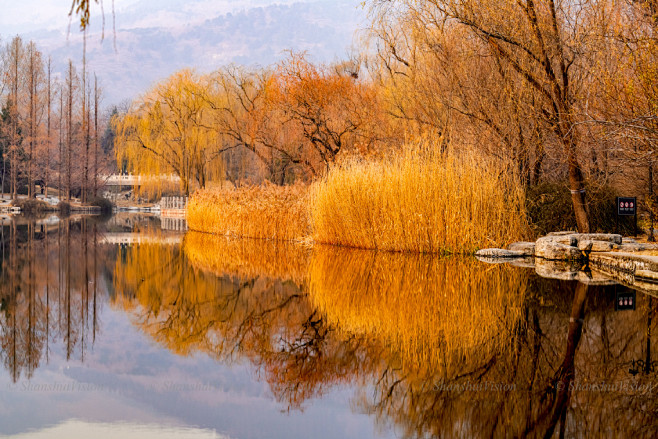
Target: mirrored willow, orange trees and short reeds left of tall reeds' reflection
x,y
213,306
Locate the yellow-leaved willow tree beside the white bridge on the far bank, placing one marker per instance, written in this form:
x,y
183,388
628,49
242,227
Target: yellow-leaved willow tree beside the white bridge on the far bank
x,y
167,132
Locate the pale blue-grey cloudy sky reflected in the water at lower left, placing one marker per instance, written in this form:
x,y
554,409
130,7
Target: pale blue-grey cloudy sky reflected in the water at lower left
x,y
129,382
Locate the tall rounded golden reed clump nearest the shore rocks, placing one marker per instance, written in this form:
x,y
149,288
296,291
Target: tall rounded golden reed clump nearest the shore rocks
x,y
423,201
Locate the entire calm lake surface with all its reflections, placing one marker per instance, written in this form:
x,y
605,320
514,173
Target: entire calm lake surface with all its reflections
x,y
120,328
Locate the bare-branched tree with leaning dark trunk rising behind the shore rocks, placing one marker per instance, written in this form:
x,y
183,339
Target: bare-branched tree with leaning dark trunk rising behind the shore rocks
x,y
544,45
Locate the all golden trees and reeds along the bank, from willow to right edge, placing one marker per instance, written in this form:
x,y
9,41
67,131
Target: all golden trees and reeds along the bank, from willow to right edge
x,y
524,102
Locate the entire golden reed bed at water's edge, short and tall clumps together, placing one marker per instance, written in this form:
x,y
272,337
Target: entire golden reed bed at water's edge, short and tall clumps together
x,y
424,202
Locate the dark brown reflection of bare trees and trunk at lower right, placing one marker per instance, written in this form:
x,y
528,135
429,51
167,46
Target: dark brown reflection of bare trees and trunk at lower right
x,y
551,365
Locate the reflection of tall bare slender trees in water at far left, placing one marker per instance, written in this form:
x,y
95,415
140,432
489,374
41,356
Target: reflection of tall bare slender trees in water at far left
x,y
48,292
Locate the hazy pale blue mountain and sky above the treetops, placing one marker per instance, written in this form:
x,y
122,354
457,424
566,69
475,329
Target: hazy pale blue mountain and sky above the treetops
x,y
154,38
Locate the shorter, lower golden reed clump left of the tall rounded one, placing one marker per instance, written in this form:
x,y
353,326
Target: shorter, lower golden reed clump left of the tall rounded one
x,y
266,212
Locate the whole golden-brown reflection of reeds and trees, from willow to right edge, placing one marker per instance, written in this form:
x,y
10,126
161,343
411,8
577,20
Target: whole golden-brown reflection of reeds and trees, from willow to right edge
x,y
437,347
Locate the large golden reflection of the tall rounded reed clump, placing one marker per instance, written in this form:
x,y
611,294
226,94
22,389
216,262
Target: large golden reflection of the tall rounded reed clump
x,y
435,311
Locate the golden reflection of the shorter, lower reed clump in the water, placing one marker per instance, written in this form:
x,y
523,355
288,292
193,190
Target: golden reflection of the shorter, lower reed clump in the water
x,y
247,258
